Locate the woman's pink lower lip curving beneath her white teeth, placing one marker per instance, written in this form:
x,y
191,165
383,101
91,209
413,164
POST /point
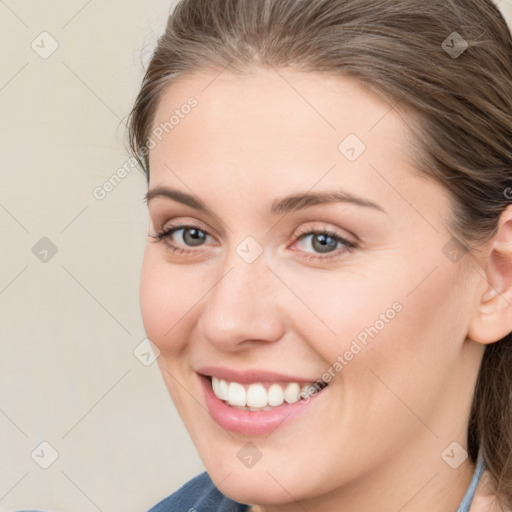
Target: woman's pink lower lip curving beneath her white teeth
x,y
253,423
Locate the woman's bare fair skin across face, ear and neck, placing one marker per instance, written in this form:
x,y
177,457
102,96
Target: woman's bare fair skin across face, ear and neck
x,y
374,441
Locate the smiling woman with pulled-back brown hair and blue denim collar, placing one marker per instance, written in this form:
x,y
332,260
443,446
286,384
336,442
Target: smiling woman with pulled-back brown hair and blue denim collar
x,y
328,274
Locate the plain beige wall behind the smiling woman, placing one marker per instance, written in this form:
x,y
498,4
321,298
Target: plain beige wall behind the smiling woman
x,y
69,312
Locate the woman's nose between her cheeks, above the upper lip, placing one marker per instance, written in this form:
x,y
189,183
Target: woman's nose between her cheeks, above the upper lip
x,y
242,308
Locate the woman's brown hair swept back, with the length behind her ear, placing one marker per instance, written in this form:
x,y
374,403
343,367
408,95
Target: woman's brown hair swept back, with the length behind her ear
x,y
458,106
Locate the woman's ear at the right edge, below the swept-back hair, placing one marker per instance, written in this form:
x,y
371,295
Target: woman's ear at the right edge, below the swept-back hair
x,y
493,318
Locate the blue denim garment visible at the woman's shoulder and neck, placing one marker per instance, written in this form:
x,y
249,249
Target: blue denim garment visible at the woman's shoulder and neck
x,y
201,495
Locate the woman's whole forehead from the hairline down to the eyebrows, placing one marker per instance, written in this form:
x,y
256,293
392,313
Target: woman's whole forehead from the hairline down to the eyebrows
x,y
280,128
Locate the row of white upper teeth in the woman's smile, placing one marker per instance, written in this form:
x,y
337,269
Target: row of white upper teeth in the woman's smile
x,y
255,395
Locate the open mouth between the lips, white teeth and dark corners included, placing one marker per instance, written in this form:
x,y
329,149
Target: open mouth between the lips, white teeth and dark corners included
x,y
263,396
